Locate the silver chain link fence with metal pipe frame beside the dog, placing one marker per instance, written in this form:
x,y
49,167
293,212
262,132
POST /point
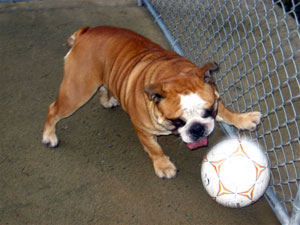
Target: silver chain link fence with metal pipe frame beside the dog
x,y
257,45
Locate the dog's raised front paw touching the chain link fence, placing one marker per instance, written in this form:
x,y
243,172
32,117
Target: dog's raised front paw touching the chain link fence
x,y
249,121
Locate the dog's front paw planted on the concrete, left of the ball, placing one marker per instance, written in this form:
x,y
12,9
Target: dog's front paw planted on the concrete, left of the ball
x,y
164,168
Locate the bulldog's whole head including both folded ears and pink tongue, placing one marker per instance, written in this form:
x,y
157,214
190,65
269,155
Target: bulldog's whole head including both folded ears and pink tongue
x,y
187,104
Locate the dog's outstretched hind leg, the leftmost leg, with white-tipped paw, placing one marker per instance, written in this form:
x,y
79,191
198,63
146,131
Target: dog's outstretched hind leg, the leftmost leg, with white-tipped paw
x,y
75,90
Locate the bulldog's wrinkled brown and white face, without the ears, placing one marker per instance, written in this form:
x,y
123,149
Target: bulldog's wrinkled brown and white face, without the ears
x,y
189,110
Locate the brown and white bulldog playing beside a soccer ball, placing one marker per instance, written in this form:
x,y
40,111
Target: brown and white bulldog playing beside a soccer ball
x,y
162,92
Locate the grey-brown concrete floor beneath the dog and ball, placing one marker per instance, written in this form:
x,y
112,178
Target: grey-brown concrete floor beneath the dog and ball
x,y
99,174
